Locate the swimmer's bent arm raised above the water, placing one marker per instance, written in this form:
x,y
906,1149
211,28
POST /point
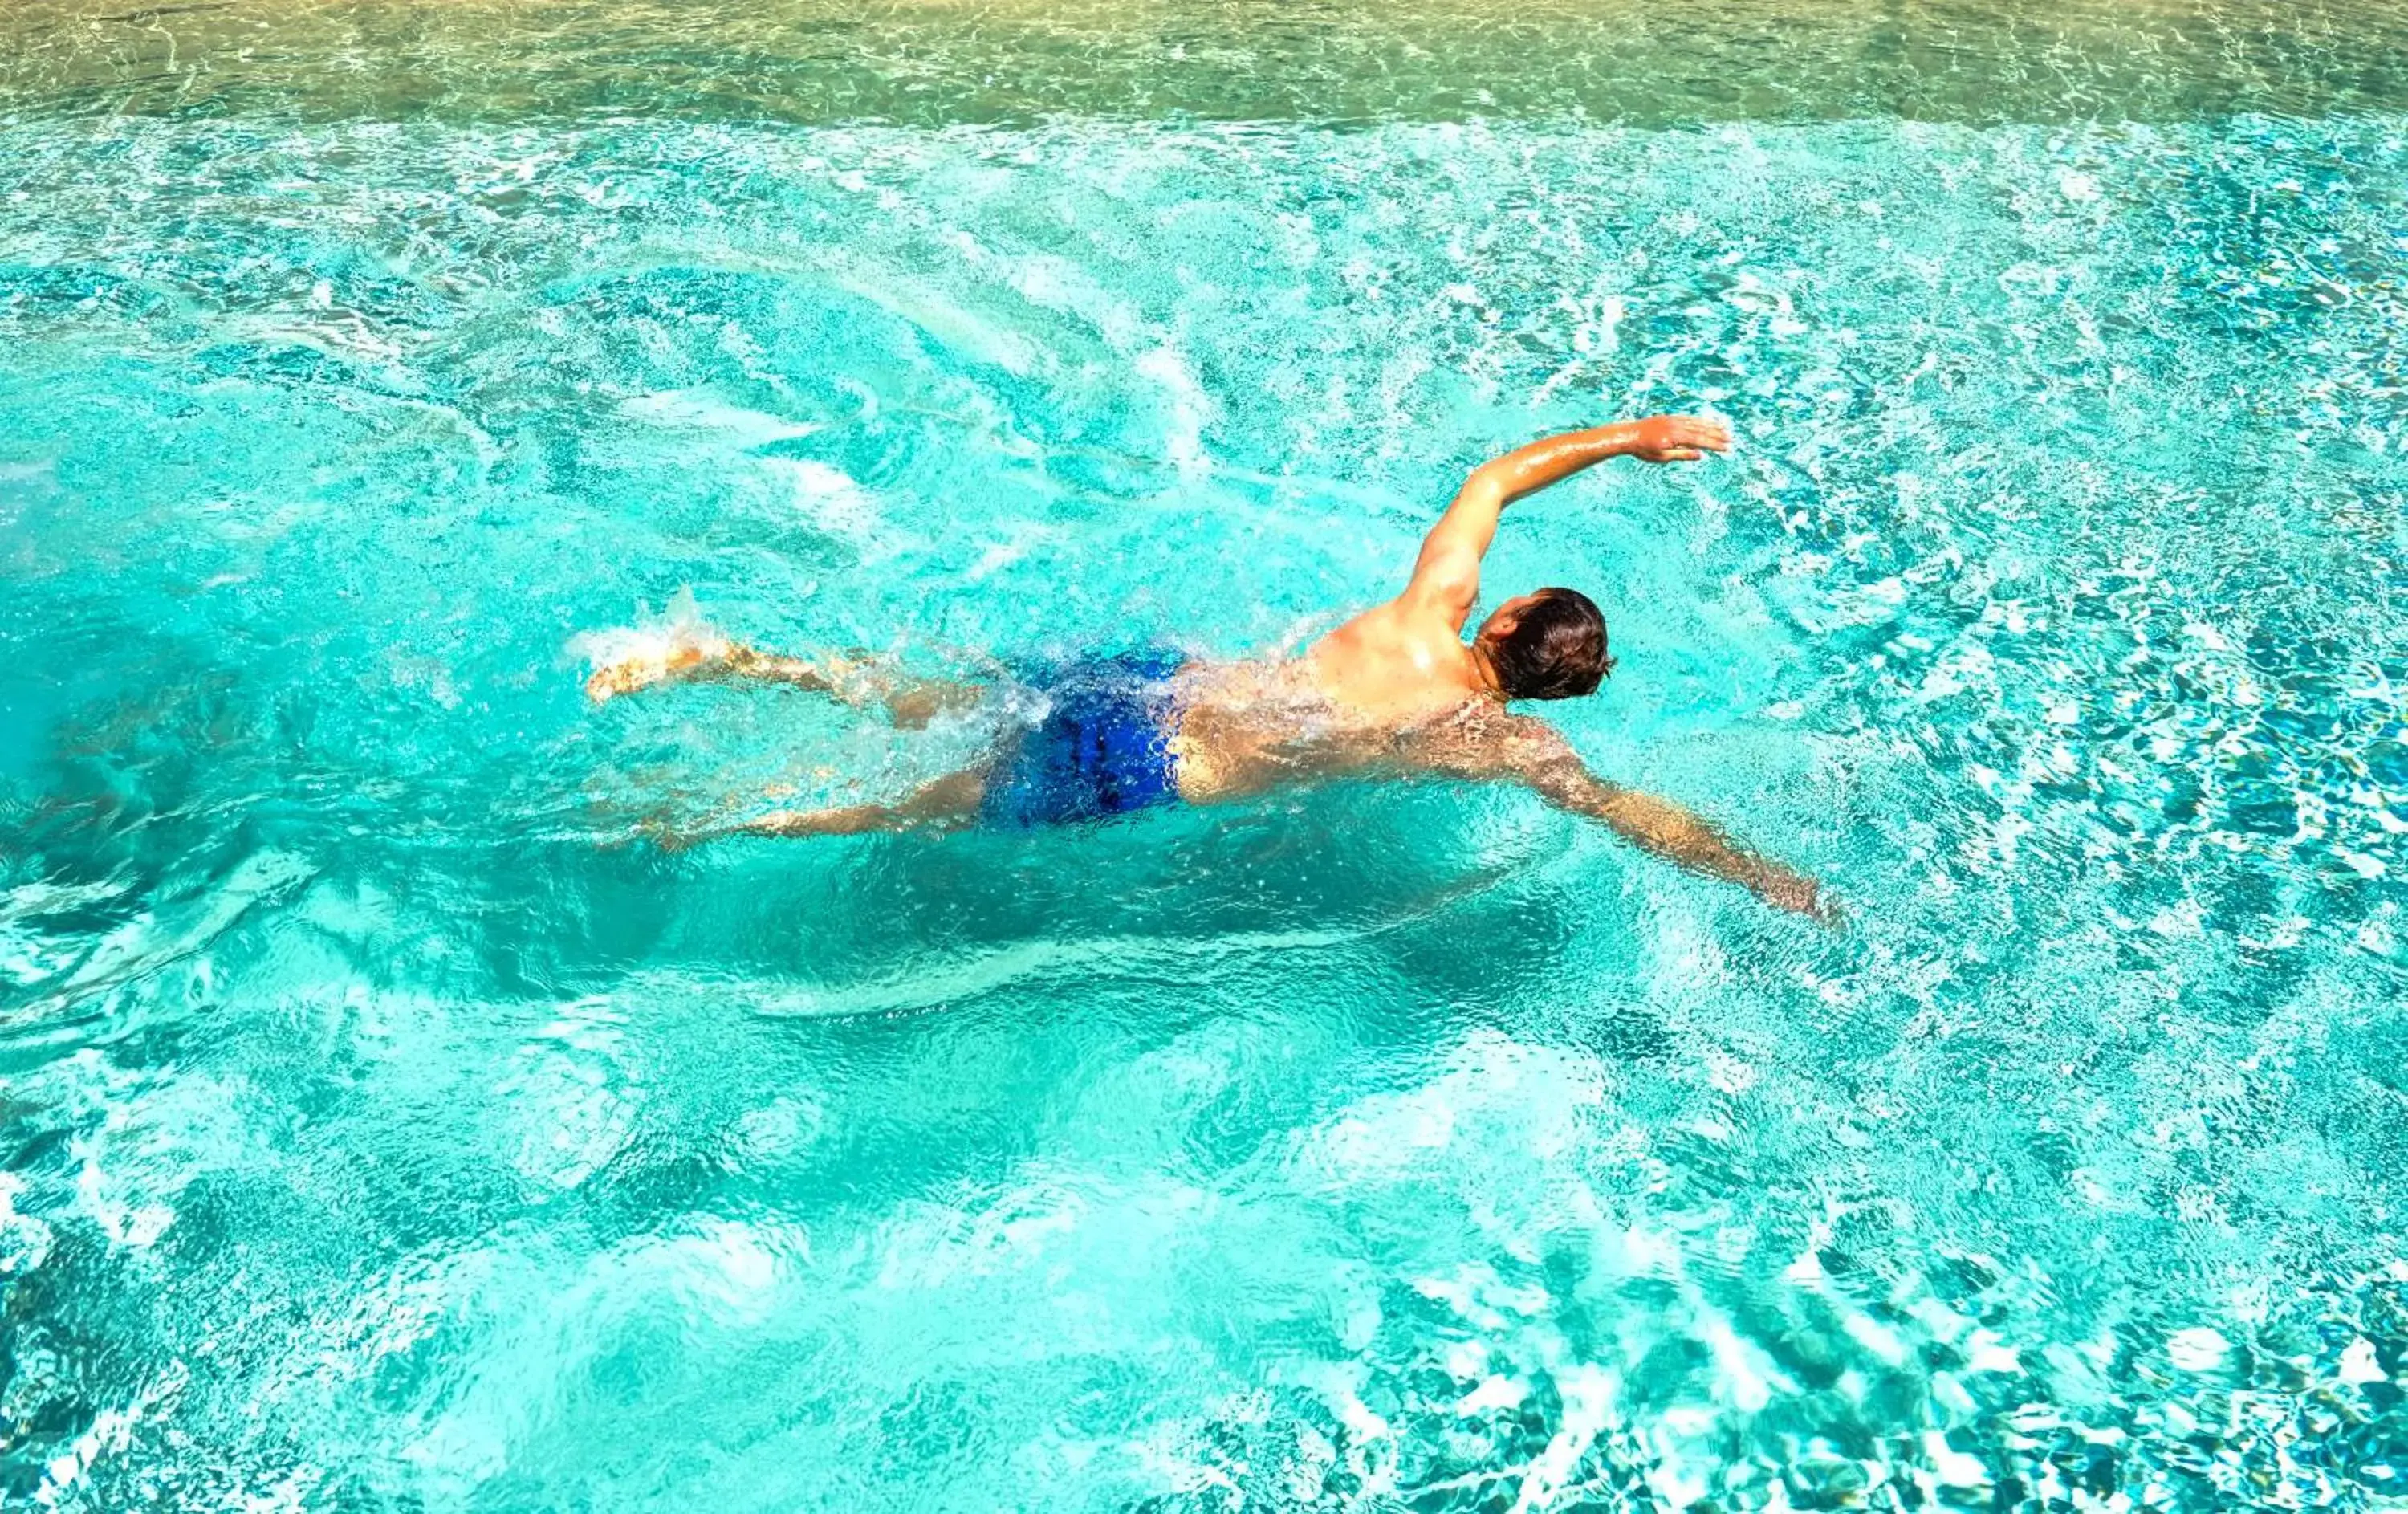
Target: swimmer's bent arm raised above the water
x,y
1448,572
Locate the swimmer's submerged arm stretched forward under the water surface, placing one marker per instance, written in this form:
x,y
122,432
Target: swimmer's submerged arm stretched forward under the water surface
x,y
1542,759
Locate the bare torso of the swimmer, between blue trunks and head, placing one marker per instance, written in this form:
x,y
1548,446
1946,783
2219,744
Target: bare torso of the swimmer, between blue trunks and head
x,y
1359,699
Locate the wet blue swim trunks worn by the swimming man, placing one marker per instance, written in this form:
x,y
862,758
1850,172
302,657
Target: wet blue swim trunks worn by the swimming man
x,y
1102,750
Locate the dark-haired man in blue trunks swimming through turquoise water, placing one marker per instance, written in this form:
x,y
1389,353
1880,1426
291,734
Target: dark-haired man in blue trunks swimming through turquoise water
x,y
1393,692
